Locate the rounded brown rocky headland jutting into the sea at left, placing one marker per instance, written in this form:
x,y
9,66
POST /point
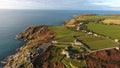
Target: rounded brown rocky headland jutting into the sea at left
x,y
41,33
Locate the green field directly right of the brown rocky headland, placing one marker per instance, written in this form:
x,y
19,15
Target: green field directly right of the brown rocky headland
x,y
63,34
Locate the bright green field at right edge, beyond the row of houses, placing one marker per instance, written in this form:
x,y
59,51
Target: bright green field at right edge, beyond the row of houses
x,y
112,31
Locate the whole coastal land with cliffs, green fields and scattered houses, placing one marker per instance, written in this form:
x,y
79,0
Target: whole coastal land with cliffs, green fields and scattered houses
x,y
86,41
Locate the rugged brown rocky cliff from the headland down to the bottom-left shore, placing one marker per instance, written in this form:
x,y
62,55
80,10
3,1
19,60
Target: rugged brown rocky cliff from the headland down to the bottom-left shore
x,y
34,36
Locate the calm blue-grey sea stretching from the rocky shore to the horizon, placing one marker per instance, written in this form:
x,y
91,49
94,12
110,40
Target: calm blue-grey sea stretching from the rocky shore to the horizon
x,y
14,21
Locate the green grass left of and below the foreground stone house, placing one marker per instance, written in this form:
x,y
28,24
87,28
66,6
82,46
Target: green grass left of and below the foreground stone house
x,y
56,56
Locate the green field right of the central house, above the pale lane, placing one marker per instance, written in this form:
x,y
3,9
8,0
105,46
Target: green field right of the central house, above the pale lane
x,y
97,42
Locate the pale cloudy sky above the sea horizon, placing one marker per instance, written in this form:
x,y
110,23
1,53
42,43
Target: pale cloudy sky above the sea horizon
x,y
61,4
